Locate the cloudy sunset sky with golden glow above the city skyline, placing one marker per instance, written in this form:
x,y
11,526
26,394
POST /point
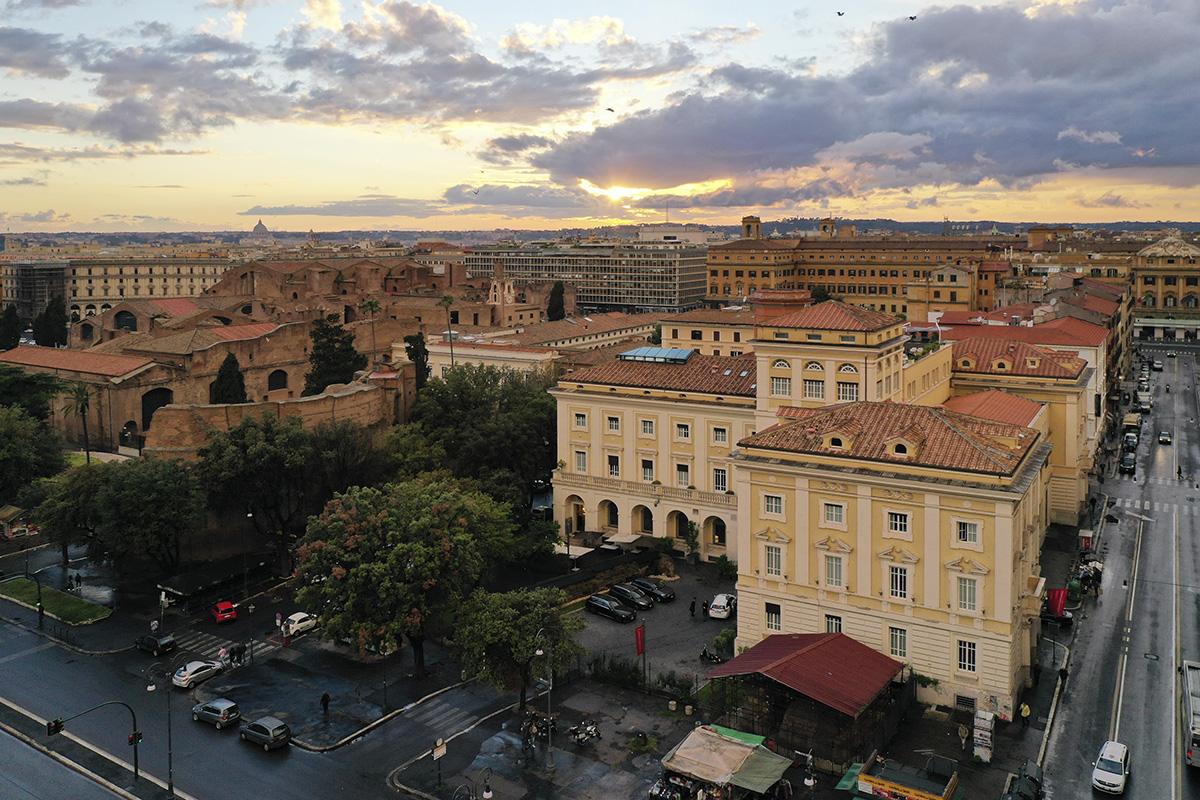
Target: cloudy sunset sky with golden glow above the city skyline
x,y
469,115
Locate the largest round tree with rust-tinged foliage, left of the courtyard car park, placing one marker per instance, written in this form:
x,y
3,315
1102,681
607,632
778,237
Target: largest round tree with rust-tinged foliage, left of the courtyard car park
x,y
382,564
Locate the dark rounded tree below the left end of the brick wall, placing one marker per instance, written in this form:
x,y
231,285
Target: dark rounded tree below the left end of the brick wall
x,y
147,507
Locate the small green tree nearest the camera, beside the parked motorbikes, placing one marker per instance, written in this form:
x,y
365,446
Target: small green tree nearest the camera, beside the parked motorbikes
x,y
497,637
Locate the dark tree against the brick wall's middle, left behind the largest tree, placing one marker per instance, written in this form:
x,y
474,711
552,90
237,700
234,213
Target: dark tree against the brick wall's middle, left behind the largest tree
x,y
262,466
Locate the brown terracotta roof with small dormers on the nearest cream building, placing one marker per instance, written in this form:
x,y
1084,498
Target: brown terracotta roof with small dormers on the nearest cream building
x,y
947,440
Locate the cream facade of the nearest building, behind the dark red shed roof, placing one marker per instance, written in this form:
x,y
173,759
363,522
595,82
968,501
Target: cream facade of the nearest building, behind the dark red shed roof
x,y
821,551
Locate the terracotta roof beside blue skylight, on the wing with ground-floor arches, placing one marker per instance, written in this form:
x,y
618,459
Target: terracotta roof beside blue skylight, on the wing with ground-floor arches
x,y
710,375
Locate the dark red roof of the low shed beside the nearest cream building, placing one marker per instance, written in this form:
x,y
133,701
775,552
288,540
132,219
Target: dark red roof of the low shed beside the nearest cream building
x,y
831,669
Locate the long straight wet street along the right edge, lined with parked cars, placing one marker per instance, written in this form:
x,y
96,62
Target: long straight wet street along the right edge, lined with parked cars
x,y
1124,681
